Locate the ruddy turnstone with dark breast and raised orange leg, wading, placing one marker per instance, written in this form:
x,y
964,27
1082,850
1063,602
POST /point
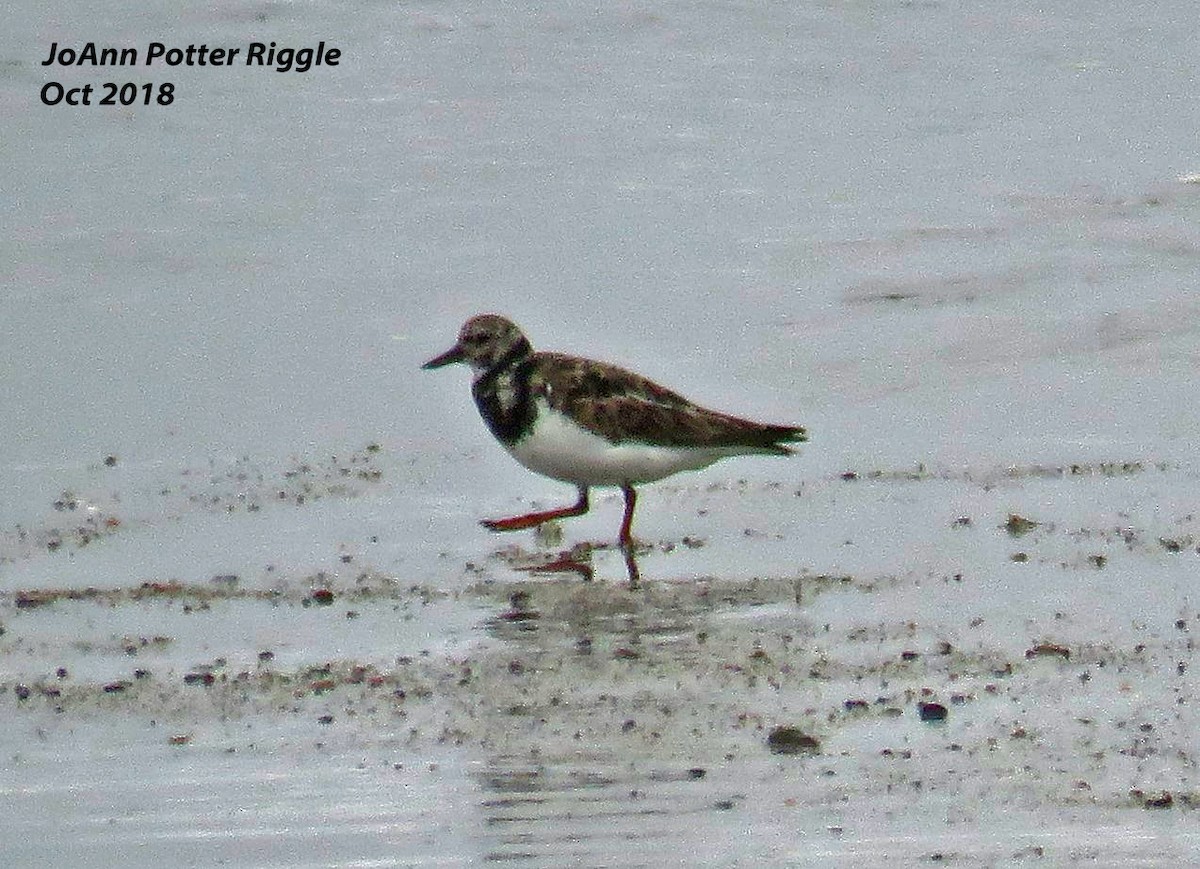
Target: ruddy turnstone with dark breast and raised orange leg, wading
x,y
592,424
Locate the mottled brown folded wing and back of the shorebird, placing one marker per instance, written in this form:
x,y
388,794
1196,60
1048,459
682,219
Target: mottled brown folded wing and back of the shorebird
x,y
622,407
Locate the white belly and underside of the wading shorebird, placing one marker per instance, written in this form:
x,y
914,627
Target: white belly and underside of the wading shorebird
x,y
560,448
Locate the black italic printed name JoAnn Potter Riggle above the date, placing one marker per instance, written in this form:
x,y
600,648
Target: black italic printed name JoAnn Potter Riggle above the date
x,y
285,59
